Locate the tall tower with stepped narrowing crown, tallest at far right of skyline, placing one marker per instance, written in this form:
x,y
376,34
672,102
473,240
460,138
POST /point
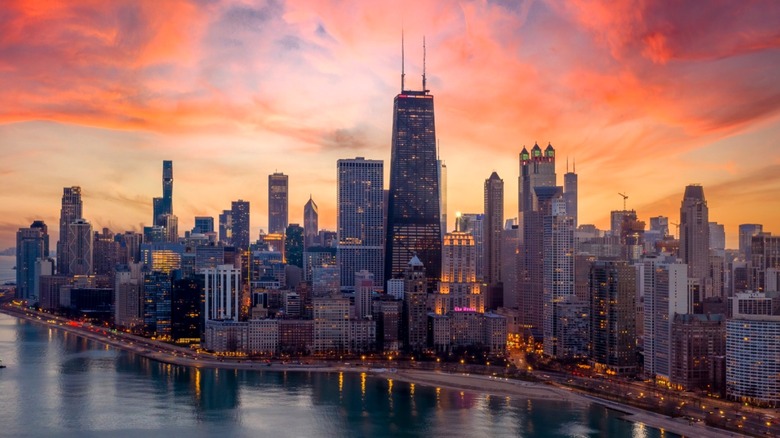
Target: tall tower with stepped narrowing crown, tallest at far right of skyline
x,y
695,233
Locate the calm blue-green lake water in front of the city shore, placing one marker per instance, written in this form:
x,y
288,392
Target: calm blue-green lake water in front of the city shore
x,y
58,384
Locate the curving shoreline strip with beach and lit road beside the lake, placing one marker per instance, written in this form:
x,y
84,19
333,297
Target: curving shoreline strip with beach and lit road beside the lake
x,y
465,382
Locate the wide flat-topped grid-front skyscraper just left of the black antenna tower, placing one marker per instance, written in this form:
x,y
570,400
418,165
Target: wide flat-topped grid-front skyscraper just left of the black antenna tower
x,y
360,218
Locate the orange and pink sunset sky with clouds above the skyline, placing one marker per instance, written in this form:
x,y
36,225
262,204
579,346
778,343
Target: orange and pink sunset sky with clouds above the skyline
x,y
646,97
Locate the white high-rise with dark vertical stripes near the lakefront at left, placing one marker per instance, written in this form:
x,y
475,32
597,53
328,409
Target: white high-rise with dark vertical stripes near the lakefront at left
x,y
222,290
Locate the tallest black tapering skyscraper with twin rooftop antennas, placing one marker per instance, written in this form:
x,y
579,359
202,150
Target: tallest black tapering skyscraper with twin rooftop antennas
x,y
414,209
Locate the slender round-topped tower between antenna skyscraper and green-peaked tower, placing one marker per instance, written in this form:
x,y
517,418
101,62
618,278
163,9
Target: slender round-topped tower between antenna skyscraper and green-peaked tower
x,y
494,225
